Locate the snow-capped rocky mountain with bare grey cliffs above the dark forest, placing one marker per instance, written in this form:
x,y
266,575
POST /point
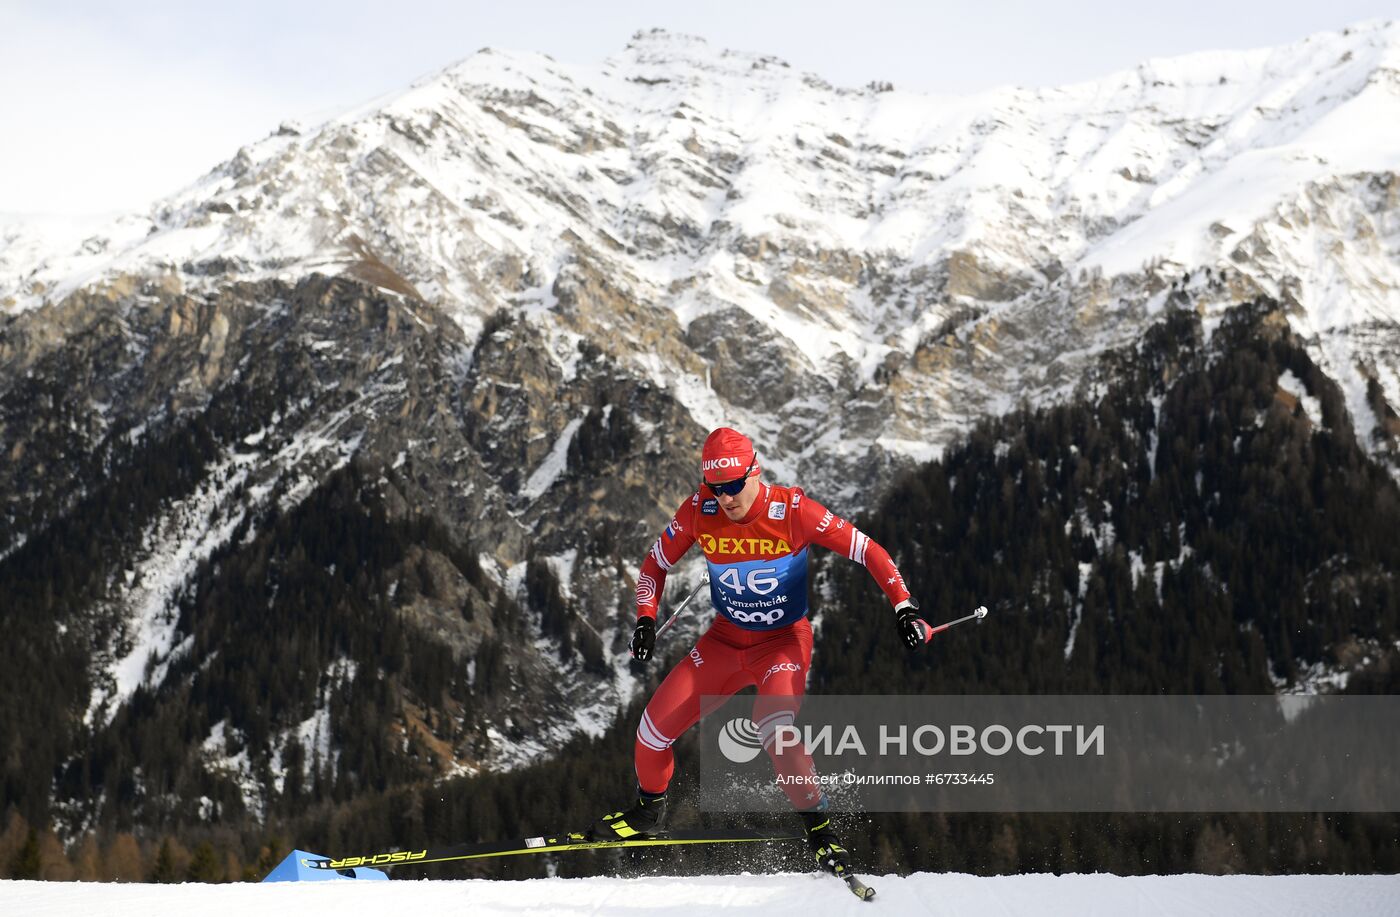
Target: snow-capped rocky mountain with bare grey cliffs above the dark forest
x,y
551,279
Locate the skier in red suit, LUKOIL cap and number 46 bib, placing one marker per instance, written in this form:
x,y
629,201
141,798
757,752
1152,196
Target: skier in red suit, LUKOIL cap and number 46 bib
x,y
755,538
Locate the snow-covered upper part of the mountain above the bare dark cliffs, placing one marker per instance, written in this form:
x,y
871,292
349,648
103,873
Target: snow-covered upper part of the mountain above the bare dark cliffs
x,y
936,257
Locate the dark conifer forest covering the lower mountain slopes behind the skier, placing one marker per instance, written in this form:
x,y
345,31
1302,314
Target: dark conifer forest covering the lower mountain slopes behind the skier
x,y
1192,526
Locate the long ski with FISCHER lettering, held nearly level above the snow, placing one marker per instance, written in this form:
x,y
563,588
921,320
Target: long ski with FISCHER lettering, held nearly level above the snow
x,y
558,843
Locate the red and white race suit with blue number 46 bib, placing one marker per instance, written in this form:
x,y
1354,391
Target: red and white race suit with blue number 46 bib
x,y
761,636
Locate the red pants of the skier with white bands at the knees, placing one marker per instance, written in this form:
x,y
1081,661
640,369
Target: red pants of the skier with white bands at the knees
x,y
723,661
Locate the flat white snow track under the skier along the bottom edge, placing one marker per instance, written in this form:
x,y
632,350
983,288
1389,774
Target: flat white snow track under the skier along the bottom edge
x,y
768,895
